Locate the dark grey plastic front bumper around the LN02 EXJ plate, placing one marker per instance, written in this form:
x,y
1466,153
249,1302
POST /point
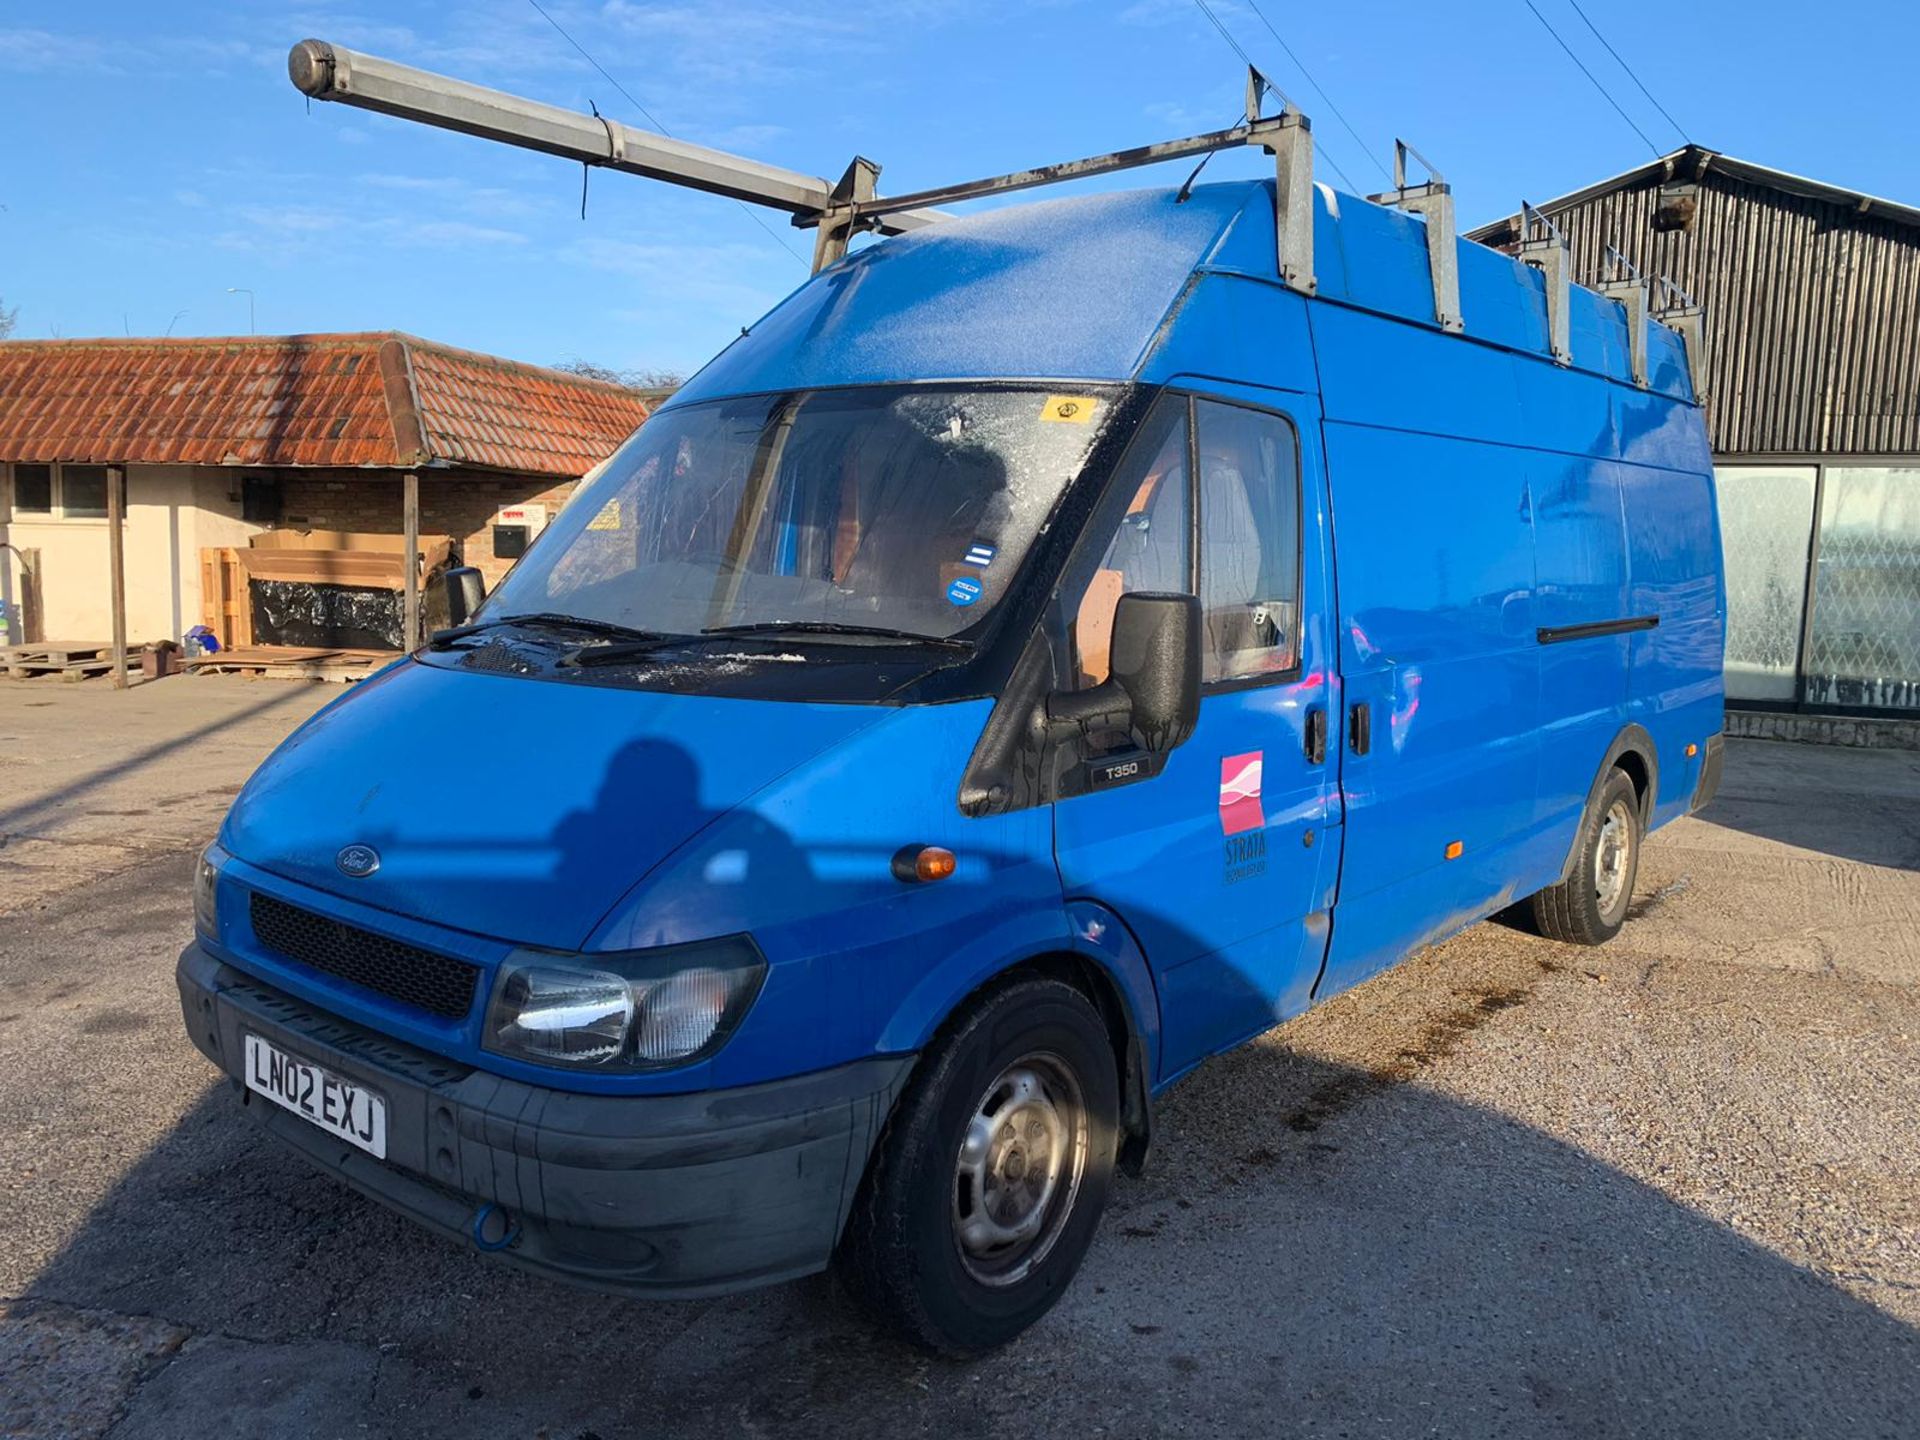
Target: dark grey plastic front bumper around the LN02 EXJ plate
x,y
663,1195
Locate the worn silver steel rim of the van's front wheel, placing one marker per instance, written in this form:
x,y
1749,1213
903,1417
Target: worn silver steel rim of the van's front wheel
x,y
1020,1168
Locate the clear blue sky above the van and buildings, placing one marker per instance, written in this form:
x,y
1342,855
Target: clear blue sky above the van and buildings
x,y
155,155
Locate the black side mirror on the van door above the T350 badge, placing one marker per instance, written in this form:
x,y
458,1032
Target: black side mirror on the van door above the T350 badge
x,y
1153,686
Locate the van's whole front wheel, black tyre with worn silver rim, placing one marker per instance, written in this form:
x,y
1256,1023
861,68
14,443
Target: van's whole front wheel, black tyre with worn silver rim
x,y
992,1174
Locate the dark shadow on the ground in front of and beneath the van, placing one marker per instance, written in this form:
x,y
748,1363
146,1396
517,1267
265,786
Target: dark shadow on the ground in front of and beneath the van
x,y
1316,1251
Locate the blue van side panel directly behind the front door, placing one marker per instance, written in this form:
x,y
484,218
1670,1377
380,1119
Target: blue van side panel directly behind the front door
x,y
1435,579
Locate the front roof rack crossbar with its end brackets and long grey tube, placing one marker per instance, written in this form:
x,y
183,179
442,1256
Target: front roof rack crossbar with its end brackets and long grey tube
x,y
836,212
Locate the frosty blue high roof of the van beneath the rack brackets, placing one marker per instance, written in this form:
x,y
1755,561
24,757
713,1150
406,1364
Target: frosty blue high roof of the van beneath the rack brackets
x,y
1084,289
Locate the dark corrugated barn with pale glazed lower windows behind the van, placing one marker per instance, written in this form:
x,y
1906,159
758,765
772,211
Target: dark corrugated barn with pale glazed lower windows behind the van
x,y
1813,402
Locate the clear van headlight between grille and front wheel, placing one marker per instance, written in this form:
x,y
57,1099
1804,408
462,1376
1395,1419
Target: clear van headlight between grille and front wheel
x,y
635,1011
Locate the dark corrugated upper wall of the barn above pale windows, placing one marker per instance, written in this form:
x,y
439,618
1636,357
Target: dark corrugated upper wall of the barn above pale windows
x,y
1813,312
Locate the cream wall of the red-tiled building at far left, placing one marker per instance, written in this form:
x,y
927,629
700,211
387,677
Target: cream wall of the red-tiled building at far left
x,y
172,514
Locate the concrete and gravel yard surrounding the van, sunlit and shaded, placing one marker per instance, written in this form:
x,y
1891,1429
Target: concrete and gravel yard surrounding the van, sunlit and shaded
x,y
1669,1188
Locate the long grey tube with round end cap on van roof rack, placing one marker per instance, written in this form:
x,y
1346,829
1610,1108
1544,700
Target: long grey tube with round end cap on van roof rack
x,y
329,72
